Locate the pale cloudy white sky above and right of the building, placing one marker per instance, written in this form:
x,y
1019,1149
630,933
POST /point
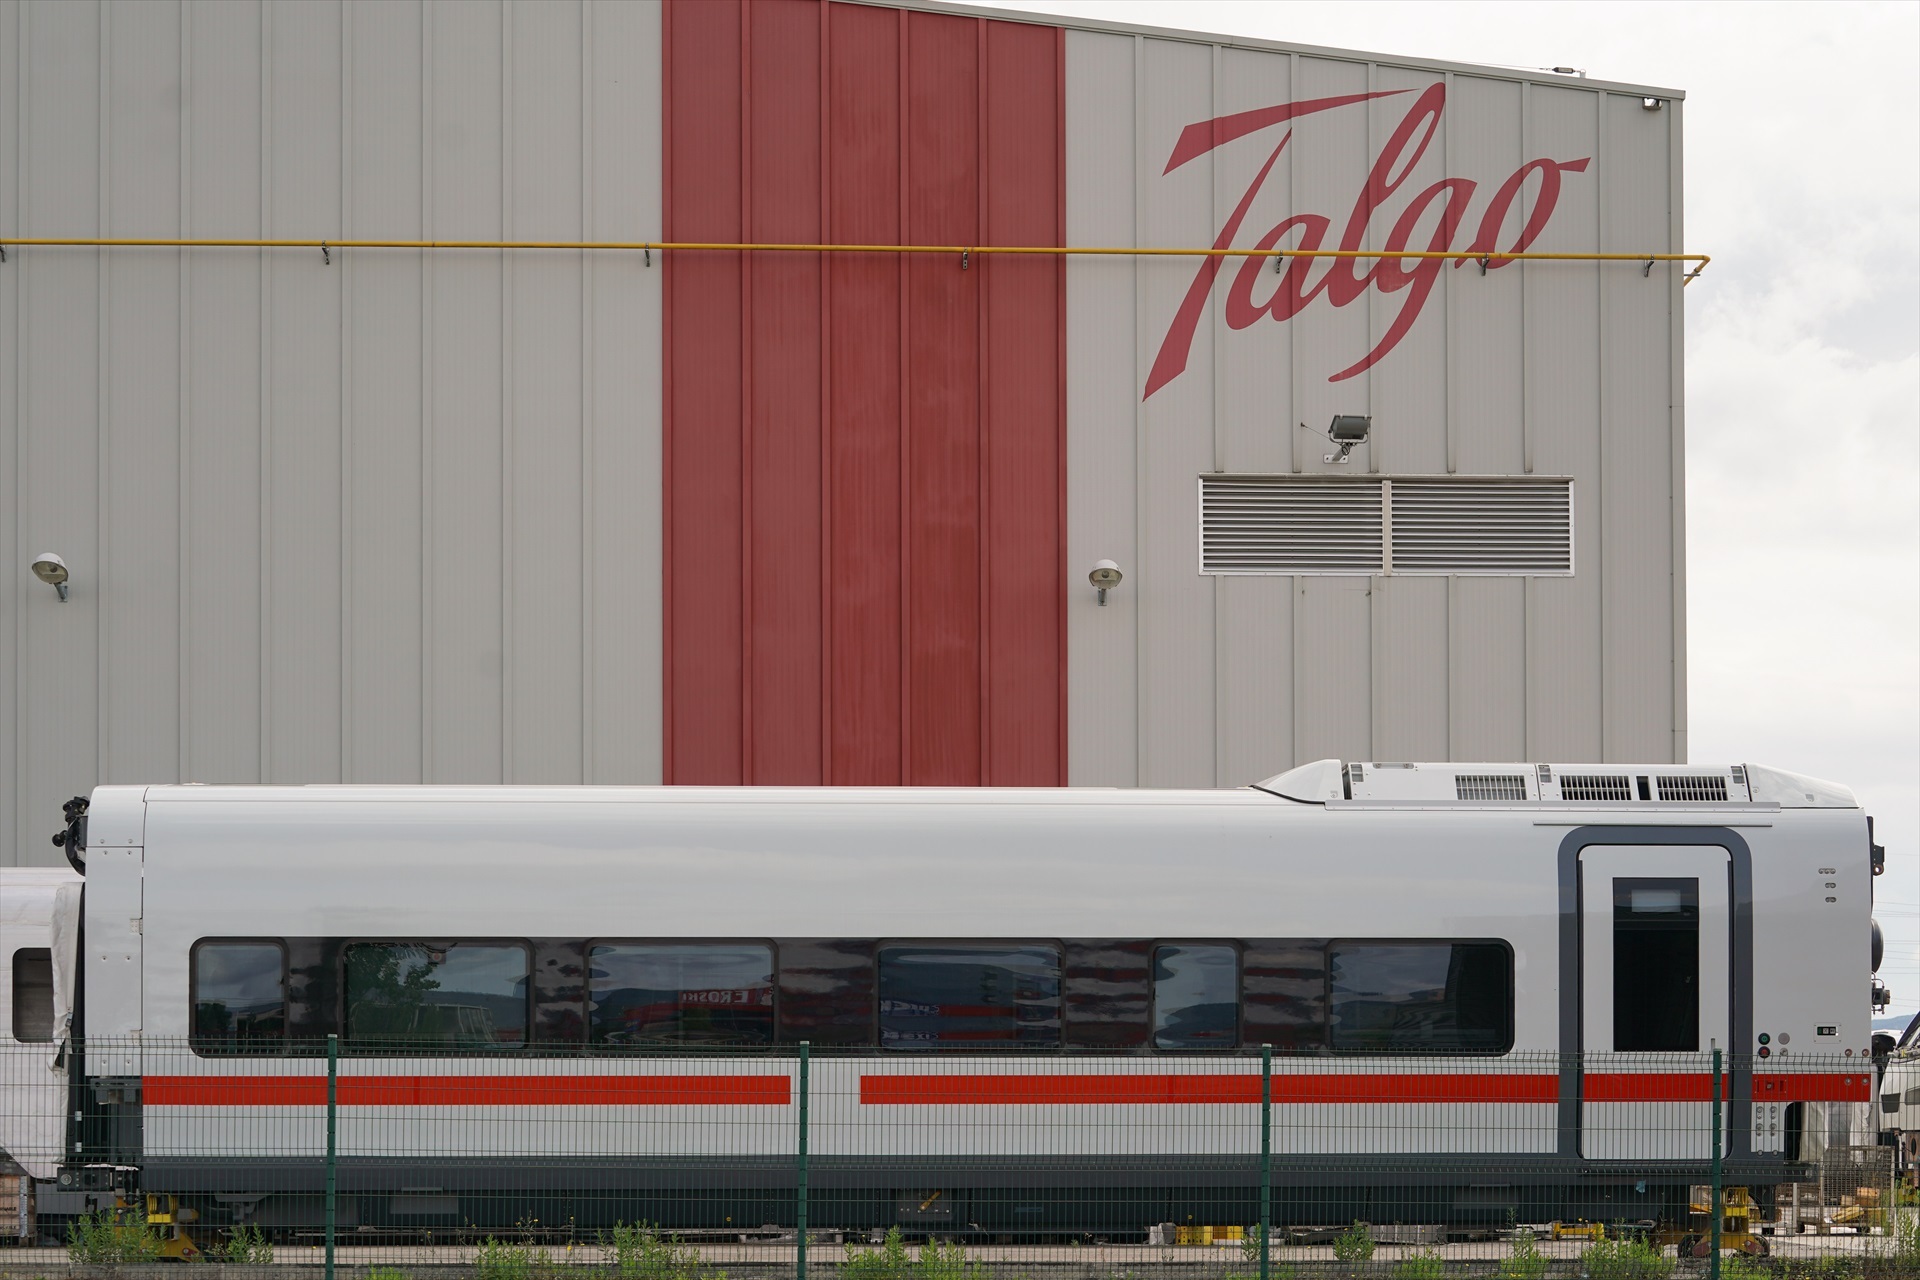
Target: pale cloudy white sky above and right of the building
x,y
1804,356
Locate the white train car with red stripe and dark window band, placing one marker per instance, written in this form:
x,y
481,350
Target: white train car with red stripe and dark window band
x,y
1502,976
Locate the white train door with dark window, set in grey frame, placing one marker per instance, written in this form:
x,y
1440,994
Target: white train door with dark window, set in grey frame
x,y
1656,995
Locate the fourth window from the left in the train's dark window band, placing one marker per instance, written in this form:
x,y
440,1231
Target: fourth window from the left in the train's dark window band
x,y
971,997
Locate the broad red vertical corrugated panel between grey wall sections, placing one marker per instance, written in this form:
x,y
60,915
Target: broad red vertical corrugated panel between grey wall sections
x,y
865,506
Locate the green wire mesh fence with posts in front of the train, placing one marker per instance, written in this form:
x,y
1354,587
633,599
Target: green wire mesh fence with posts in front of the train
x,y
696,1162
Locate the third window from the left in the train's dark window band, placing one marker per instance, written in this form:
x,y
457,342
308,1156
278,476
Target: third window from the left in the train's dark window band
x,y
681,993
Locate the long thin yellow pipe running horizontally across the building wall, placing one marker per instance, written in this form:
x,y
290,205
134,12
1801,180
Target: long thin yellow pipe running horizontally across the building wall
x,y
667,247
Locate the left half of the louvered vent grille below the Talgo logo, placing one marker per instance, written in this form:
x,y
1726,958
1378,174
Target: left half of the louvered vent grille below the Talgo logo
x,y
1268,527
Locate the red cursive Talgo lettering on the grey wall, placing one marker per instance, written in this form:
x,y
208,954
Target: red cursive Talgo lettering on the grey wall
x,y
1343,281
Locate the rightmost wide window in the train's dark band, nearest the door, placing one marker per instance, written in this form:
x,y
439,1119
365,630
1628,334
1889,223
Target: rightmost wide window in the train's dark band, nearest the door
x,y
1422,997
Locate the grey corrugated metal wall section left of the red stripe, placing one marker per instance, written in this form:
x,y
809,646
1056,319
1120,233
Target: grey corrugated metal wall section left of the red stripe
x,y
393,519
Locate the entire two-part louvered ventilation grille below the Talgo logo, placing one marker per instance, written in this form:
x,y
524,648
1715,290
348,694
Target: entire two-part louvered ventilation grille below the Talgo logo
x,y
1293,525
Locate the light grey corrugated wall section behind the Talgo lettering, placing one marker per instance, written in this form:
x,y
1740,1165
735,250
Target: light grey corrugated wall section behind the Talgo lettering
x,y
1556,369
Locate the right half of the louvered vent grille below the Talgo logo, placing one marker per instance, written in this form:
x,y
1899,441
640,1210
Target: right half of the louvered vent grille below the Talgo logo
x,y
1462,527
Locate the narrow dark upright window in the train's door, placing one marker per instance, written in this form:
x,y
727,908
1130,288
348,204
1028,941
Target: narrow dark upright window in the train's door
x,y
1656,966
